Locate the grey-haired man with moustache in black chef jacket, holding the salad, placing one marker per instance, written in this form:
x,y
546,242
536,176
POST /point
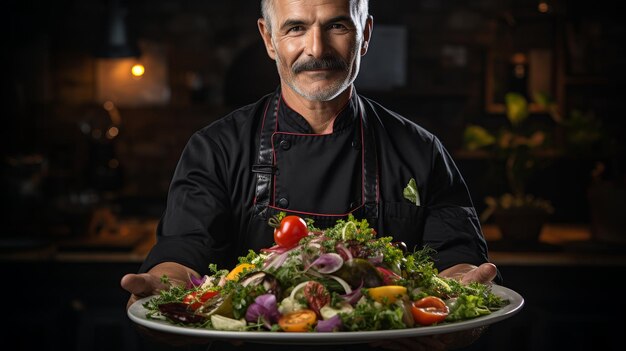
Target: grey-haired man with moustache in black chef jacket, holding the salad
x,y
317,149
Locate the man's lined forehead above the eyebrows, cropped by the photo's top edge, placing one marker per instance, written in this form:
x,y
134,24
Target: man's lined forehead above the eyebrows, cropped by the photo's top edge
x,y
310,9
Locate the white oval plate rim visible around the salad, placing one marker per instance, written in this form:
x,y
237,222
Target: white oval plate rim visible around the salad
x,y
137,314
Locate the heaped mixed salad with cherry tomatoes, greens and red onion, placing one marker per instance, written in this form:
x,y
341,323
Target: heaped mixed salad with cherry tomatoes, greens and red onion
x,y
343,278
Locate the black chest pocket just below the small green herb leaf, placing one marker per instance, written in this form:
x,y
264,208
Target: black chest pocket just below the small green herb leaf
x,y
403,221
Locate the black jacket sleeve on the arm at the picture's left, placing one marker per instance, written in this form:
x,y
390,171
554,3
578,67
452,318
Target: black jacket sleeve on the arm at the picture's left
x,y
189,231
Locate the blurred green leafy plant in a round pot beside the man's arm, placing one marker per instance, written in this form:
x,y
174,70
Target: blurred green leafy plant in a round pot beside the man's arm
x,y
519,214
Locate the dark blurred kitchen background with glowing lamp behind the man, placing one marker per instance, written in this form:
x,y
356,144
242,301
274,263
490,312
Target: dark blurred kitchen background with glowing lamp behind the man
x,y
100,97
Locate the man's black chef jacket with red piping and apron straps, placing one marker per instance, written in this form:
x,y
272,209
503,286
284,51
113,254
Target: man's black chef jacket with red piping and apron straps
x,y
264,158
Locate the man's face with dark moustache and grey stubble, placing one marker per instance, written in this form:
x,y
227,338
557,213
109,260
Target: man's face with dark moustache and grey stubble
x,y
317,45
